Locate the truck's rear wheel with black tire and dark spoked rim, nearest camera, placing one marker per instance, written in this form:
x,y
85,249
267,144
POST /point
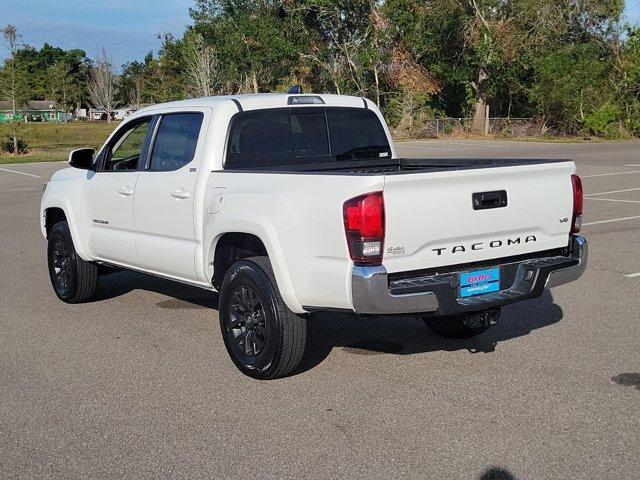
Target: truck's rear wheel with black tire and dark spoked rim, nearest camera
x,y
263,337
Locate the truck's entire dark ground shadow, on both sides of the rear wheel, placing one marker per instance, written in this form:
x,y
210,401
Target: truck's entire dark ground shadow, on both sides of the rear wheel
x,y
400,335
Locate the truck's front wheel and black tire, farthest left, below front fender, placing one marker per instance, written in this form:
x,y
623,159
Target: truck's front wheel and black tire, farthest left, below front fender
x,y
73,279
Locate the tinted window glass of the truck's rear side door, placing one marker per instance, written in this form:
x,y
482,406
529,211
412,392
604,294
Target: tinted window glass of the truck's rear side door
x,y
175,141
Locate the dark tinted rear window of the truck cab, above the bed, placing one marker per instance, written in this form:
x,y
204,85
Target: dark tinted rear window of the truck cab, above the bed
x,y
290,136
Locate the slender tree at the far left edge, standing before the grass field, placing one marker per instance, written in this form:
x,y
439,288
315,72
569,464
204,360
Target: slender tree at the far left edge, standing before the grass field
x,y
14,85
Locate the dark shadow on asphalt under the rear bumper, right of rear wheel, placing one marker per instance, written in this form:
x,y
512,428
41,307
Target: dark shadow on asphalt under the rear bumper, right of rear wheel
x,y
409,335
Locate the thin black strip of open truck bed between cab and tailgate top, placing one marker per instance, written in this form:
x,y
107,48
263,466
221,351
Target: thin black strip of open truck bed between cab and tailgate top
x,y
396,166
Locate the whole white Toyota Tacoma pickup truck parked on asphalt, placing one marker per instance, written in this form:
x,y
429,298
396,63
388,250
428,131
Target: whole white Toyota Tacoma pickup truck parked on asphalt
x,y
288,204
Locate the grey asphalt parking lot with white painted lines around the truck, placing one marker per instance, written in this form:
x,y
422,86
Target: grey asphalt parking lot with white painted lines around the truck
x,y
139,385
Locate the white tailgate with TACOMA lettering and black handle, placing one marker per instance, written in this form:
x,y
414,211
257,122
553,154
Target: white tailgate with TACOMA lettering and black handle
x,y
431,220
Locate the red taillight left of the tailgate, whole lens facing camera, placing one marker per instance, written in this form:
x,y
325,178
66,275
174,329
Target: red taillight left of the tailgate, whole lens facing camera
x,y
364,227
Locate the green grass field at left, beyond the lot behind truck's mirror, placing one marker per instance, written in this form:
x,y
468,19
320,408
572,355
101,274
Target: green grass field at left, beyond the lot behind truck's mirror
x,y
52,142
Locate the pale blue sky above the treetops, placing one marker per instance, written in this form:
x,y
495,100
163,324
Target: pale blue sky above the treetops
x,y
127,29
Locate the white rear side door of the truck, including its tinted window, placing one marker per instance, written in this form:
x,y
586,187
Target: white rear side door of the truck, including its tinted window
x,y
164,204
